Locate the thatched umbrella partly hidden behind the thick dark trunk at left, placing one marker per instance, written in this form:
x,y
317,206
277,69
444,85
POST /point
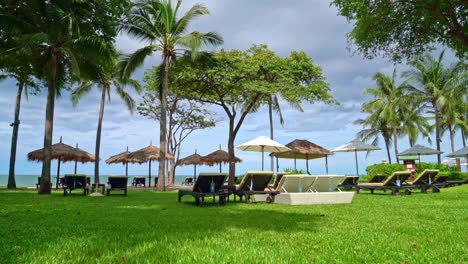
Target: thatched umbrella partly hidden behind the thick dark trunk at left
x,y
63,153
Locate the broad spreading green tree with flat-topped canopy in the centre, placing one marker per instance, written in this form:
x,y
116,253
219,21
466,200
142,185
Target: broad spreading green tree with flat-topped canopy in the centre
x,y
240,81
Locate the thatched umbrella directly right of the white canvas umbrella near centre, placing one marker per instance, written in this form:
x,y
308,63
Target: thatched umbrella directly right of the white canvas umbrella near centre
x,y
304,149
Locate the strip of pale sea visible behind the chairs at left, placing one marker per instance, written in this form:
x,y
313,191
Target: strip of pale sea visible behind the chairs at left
x,y
31,180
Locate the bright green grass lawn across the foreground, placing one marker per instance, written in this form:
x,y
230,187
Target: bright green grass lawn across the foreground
x,y
150,227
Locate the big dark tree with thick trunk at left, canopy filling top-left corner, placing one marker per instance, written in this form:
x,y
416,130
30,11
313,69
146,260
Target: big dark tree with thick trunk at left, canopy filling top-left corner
x,y
60,34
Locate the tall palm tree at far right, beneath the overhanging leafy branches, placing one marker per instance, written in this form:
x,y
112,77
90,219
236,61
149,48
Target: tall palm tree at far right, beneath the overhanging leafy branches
x,y
433,83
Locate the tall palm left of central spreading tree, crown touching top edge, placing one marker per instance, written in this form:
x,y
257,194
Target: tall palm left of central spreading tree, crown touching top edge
x,y
156,22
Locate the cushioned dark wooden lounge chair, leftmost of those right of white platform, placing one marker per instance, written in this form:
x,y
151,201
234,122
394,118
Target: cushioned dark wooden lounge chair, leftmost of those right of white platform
x,y
390,183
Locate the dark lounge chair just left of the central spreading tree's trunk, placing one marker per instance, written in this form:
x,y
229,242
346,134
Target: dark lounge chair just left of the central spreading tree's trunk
x,y
207,184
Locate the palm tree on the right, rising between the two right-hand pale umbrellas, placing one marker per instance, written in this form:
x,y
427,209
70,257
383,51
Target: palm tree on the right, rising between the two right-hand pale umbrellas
x,y
389,103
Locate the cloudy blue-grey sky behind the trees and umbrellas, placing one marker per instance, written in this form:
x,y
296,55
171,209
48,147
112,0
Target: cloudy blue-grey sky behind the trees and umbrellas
x,y
312,26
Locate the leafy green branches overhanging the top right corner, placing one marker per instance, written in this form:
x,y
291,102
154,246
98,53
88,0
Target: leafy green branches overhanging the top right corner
x,y
404,29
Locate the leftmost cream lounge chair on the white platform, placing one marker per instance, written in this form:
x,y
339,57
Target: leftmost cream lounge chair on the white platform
x,y
296,183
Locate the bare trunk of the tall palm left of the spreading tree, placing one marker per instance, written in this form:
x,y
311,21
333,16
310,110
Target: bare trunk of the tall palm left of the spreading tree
x,y
162,126
